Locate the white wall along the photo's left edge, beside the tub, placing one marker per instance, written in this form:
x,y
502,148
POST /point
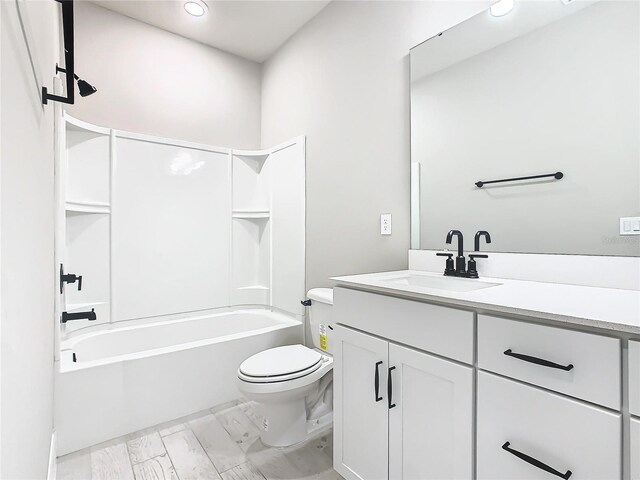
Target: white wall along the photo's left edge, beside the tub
x,y
26,241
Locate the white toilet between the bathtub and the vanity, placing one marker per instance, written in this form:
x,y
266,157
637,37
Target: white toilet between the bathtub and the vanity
x,y
293,385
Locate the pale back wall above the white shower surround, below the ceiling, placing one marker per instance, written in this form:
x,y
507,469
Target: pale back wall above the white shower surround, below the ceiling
x,y
152,81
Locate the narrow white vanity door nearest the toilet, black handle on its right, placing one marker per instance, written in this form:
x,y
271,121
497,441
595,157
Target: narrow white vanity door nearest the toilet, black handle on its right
x,y
361,420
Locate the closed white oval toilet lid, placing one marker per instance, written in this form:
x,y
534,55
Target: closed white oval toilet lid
x,y
280,361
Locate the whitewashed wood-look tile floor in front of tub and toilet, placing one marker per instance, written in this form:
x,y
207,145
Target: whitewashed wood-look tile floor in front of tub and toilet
x,y
221,443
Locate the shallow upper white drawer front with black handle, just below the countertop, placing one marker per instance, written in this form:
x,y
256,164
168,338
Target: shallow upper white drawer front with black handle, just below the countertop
x,y
592,363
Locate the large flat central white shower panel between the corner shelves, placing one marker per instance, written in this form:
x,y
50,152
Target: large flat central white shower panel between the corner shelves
x,y
171,224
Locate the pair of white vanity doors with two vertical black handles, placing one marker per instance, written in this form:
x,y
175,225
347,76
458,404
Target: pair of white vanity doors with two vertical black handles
x,y
399,413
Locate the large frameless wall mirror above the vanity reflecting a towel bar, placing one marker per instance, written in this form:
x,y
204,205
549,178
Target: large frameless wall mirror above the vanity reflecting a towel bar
x,y
553,86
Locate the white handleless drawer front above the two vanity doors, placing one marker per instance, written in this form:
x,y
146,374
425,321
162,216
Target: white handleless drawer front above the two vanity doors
x,y
441,330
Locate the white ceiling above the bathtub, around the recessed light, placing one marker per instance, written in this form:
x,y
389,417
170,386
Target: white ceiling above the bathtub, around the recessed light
x,y
252,29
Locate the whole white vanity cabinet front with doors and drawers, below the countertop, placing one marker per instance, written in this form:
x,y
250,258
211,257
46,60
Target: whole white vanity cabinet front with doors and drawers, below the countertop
x,y
425,391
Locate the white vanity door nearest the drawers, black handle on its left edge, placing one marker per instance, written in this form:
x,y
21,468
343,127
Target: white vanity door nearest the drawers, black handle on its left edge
x,y
431,425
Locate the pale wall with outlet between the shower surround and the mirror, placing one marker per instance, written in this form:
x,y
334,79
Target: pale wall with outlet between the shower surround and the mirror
x,y
343,81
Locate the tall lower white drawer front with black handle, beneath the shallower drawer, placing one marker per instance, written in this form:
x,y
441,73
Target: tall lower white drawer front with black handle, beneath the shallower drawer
x,y
561,433
